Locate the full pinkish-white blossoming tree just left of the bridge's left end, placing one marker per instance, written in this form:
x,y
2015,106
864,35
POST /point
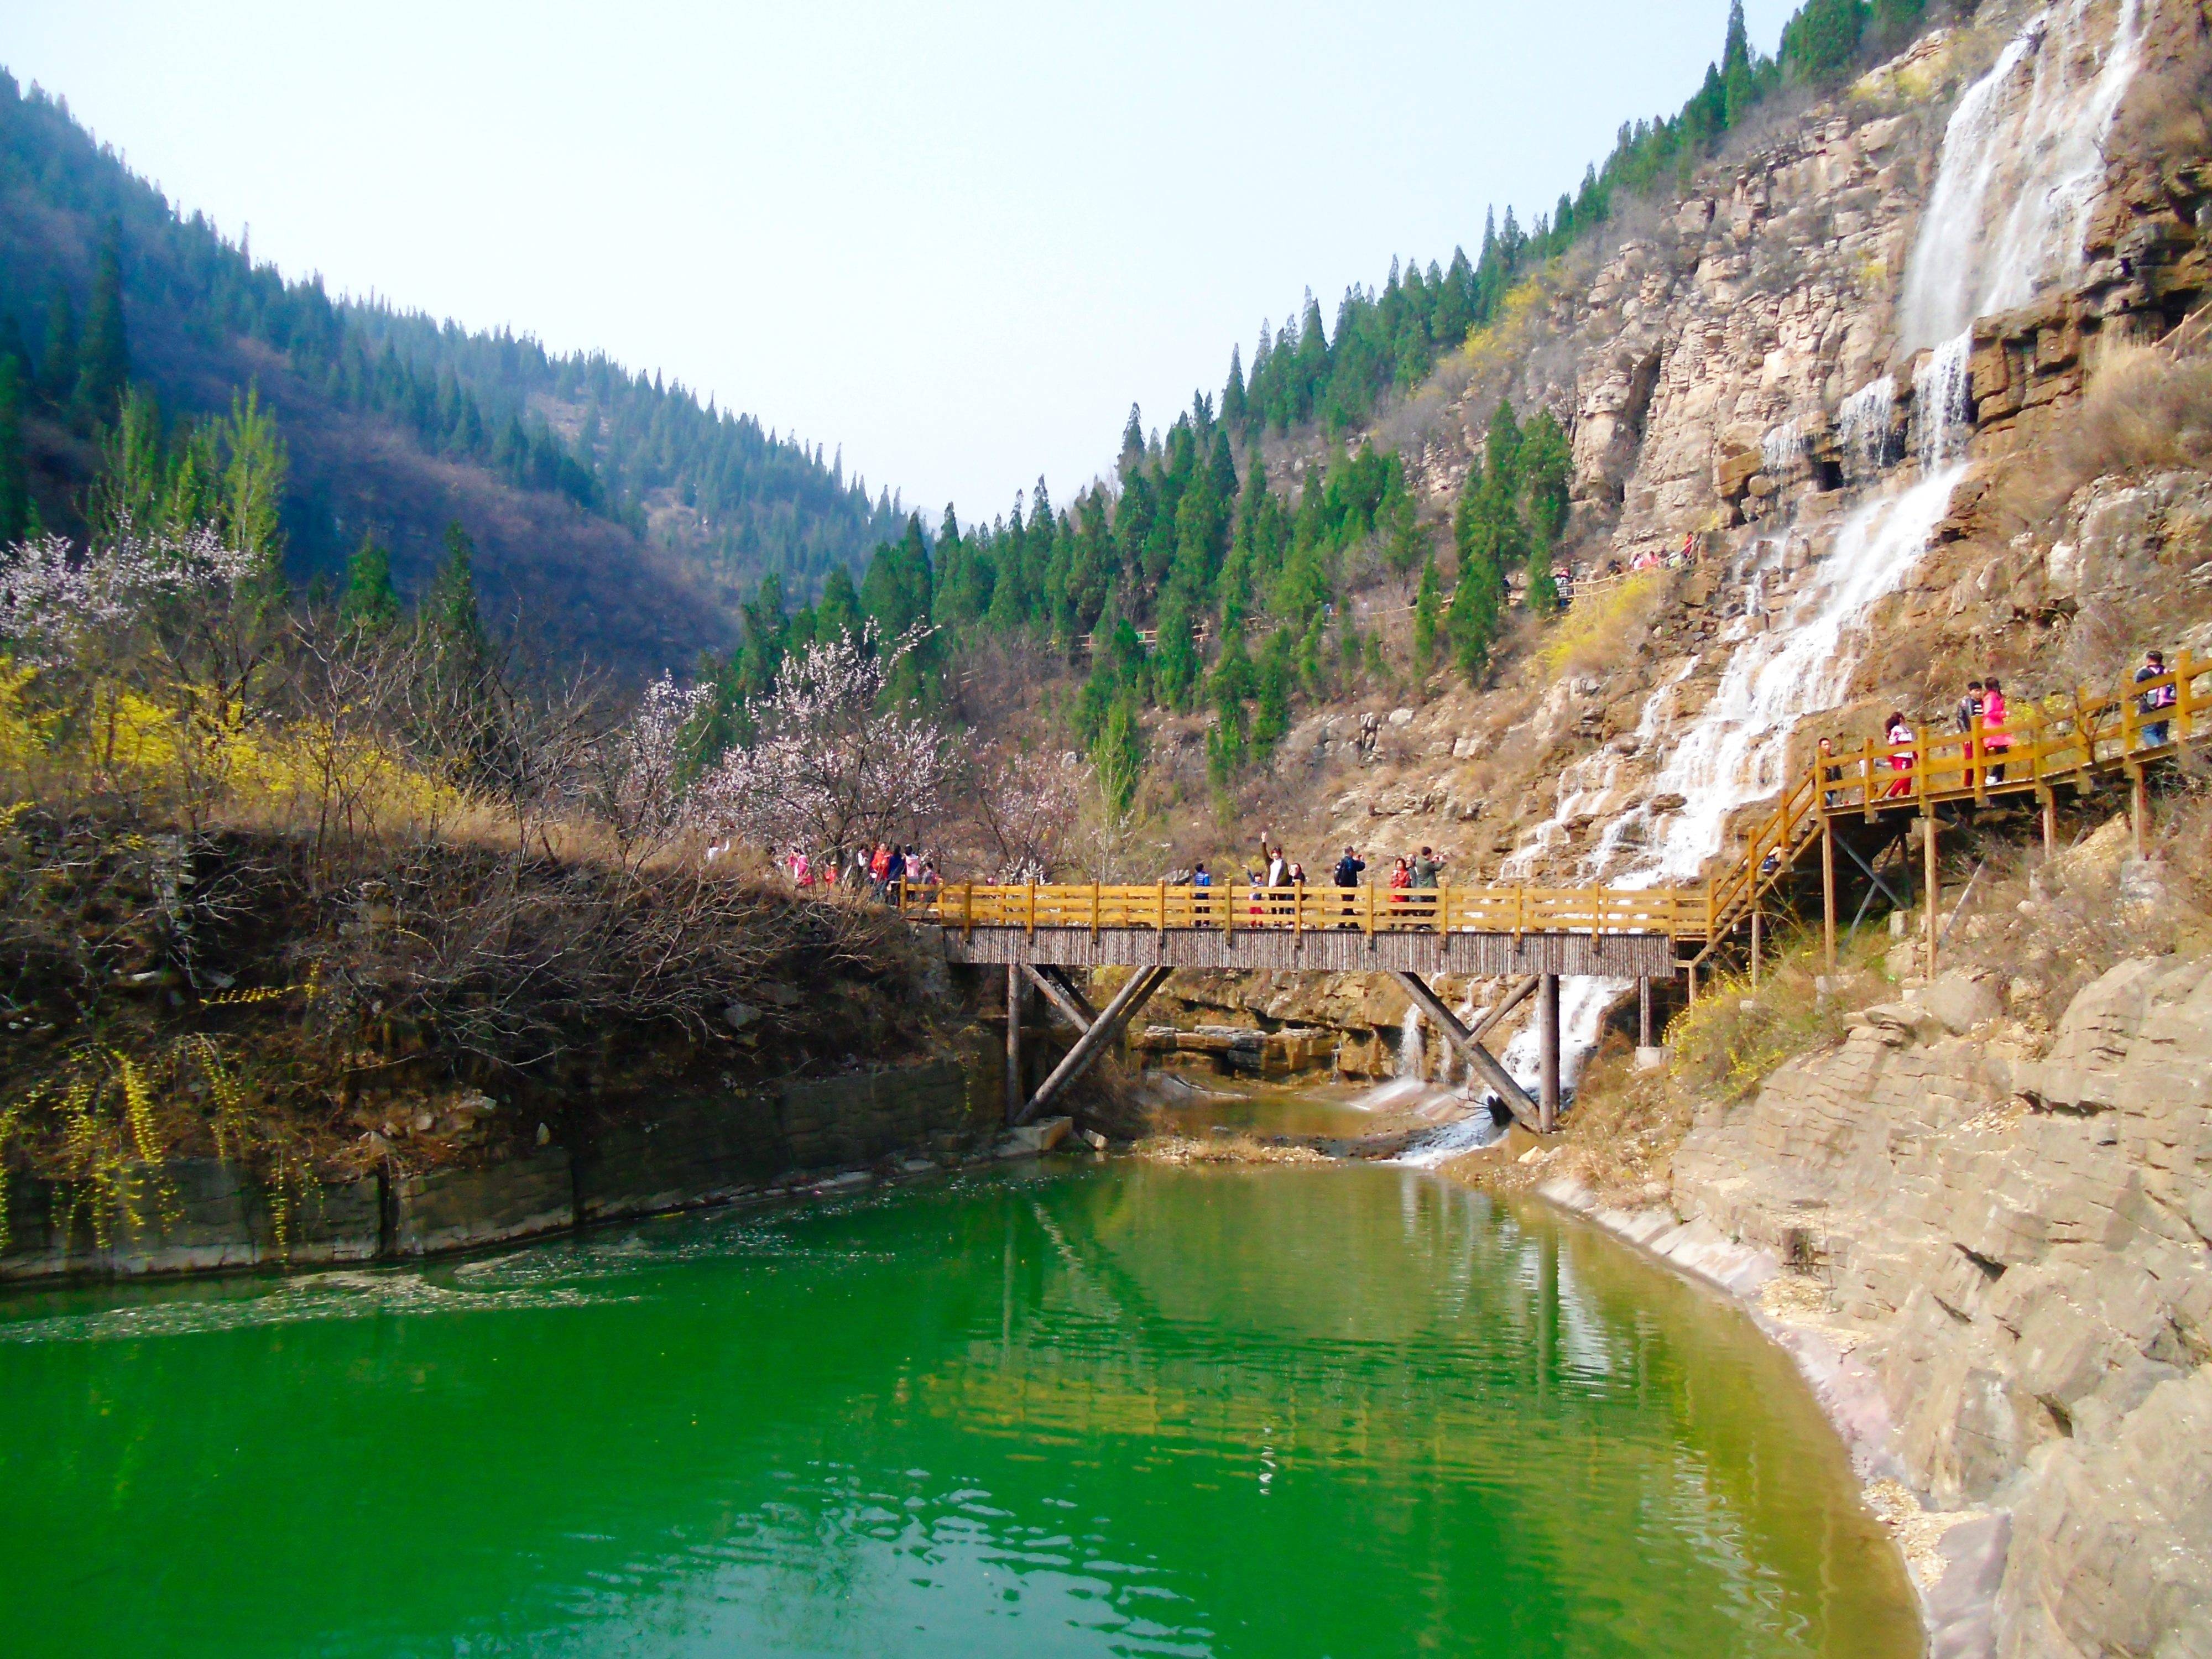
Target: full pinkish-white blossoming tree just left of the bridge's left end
x,y
831,766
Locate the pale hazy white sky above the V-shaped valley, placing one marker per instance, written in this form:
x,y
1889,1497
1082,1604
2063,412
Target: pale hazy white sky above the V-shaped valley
x,y
954,240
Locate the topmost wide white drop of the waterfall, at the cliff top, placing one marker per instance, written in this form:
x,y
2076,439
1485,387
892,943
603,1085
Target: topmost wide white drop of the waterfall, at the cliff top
x,y
2023,160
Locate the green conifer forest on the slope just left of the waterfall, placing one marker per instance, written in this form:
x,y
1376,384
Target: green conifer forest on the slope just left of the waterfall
x,y
1218,565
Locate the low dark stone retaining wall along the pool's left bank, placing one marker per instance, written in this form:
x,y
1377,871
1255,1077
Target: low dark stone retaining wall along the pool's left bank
x,y
202,1215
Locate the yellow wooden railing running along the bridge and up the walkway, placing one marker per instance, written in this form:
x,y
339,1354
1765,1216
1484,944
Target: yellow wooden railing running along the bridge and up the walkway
x,y
2043,744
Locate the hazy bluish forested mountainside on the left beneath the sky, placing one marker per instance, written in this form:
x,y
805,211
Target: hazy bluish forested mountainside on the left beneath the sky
x,y
616,510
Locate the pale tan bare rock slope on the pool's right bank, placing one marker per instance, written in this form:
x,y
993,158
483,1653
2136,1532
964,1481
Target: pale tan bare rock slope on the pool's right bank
x,y
2016,1249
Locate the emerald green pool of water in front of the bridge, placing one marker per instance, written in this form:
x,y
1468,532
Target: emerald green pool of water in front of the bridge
x,y
1120,1410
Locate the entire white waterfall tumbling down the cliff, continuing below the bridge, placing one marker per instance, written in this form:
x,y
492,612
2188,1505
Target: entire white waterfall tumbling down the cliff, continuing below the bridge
x,y
2018,178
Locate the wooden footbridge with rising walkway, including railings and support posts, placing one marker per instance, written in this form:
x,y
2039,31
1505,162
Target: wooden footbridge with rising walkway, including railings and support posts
x,y
1857,804
